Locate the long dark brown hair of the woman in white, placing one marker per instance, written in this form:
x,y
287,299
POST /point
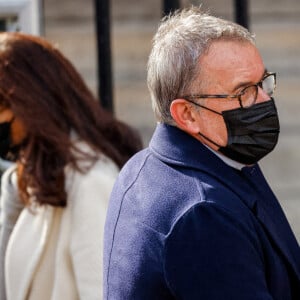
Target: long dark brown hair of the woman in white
x,y
47,94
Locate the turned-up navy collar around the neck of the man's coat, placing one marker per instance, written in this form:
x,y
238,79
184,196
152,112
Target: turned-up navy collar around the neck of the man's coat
x,y
174,146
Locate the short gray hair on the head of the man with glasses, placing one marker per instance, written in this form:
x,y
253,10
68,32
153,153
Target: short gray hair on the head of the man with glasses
x,y
180,40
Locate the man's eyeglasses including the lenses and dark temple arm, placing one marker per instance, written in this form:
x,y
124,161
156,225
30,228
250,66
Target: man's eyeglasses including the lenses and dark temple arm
x,y
248,95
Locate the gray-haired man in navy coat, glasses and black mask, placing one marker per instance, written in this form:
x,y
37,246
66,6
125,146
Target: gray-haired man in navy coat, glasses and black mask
x,y
192,216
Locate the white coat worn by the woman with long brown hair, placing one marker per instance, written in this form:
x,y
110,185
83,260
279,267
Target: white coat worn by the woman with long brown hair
x,y
77,257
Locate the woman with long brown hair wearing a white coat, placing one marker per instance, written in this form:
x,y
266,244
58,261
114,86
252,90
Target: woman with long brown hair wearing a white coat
x,y
68,152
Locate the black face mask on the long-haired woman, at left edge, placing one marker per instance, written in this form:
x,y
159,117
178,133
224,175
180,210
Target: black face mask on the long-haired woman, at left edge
x,y
7,150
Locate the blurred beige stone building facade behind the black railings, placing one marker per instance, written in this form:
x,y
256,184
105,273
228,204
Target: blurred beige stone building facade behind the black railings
x,y
276,23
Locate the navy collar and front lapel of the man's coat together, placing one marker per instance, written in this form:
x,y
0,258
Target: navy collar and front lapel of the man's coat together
x,y
174,146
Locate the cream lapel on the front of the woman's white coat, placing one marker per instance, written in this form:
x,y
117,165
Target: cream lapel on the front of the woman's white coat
x,y
25,248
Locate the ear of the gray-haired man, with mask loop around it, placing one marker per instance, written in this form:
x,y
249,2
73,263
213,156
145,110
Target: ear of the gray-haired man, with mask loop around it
x,y
185,116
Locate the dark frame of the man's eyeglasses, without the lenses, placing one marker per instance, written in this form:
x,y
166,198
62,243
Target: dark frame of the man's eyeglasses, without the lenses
x,y
238,96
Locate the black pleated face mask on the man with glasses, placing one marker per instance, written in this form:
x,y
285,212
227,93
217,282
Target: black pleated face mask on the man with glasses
x,y
252,132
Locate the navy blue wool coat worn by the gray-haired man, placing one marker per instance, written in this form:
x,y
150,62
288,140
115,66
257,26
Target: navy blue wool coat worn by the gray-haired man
x,y
182,224
